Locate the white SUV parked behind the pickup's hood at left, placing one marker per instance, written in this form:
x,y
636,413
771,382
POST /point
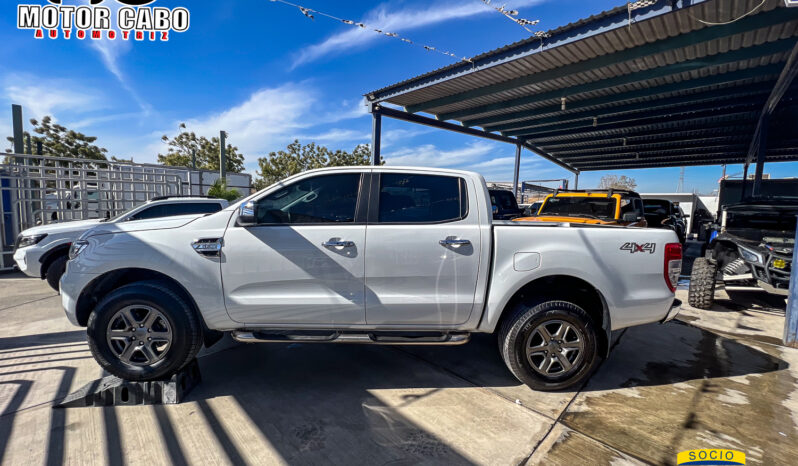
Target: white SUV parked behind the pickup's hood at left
x,y
42,251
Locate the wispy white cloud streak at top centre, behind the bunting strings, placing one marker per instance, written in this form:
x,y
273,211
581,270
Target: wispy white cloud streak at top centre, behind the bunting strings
x,y
396,21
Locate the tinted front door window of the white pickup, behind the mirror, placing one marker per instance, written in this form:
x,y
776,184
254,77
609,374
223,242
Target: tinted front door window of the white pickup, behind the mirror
x,y
321,199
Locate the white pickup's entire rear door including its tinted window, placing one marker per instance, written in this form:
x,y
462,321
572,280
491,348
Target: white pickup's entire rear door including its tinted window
x,y
411,278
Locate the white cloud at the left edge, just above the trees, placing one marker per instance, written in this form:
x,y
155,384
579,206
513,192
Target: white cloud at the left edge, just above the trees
x,y
45,97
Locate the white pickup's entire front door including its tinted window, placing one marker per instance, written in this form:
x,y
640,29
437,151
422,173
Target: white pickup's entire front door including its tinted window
x,y
304,262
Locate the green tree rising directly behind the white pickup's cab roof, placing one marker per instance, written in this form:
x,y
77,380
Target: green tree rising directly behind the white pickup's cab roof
x,y
297,158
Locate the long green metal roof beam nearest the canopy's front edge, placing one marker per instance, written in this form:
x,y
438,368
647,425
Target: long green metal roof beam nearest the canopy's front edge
x,y
749,23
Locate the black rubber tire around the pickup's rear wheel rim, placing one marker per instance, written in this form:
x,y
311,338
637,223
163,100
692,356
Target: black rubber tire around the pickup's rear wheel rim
x,y
517,331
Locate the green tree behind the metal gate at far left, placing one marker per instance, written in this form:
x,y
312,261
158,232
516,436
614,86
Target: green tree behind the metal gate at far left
x,y
58,141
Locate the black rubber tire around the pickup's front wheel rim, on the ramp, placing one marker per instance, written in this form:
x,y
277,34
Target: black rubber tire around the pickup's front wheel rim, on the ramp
x,y
186,330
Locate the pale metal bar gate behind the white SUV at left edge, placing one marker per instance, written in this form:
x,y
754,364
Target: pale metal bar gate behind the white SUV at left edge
x,y
37,190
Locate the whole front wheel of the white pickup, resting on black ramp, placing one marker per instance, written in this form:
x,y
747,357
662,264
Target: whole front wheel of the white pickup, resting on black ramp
x,y
143,331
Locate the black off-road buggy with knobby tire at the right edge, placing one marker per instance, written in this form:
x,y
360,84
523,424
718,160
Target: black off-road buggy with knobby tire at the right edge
x,y
751,247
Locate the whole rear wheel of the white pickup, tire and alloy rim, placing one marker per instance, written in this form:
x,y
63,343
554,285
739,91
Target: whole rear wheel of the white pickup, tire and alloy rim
x,y
549,346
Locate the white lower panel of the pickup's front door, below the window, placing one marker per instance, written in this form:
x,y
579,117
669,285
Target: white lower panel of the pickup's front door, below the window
x,y
283,275
